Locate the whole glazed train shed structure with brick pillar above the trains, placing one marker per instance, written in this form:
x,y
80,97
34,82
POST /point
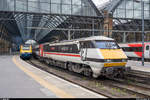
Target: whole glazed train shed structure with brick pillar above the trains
x,y
56,20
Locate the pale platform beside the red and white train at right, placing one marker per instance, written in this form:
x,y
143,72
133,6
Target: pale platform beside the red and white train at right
x,y
137,65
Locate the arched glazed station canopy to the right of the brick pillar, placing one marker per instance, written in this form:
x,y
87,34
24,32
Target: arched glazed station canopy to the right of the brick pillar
x,y
127,14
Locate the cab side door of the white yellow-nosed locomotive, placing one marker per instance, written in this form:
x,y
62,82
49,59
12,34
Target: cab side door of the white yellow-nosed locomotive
x,y
83,51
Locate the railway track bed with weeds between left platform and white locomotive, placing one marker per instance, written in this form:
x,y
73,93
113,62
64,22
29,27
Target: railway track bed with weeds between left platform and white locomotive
x,y
111,88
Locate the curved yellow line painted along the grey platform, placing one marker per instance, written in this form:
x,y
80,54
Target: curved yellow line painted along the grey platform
x,y
58,92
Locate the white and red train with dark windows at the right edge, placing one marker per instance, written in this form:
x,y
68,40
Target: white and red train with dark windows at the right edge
x,y
134,50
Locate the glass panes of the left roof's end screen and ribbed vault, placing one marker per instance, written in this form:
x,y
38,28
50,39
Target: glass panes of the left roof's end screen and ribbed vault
x,y
55,7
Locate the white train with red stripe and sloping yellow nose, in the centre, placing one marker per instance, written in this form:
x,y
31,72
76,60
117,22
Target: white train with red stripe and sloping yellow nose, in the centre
x,y
92,56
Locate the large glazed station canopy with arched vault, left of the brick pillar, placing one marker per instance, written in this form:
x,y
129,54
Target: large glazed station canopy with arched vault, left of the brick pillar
x,y
28,18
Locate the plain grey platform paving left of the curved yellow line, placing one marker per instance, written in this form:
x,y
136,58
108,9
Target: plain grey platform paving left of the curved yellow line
x,y
14,83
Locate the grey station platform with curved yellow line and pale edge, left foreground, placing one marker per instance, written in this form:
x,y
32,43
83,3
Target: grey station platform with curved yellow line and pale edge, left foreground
x,y
19,79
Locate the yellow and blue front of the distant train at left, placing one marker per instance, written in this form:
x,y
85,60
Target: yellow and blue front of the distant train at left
x,y
25,52
